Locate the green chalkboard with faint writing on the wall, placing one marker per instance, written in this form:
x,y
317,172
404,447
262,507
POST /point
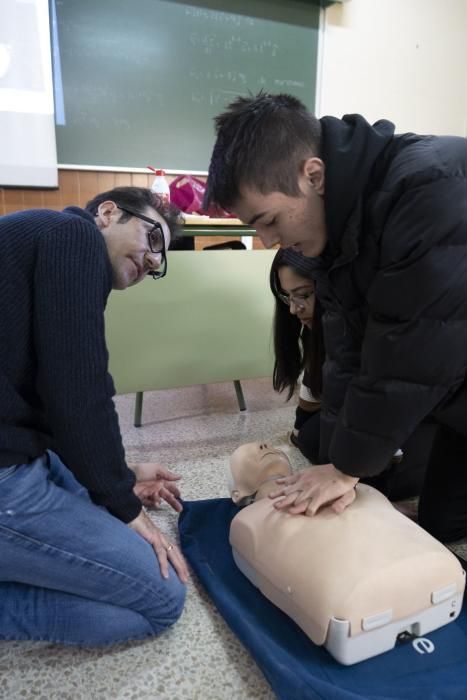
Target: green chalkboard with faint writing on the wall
x,y
143,79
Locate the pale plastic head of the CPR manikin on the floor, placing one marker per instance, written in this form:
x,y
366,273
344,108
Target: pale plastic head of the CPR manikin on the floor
x,y
253,470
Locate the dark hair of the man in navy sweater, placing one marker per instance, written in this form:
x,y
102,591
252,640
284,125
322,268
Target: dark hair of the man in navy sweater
x,y
138,199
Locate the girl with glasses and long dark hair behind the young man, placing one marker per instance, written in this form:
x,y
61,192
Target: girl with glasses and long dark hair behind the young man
x,y
299,356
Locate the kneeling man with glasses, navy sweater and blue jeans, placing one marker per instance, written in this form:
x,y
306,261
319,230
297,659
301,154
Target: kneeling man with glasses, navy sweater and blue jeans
x,y
71,570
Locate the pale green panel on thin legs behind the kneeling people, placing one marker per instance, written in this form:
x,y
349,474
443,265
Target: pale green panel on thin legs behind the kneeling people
x,y
209,320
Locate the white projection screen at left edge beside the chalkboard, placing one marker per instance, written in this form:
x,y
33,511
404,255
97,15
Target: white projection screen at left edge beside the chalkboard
x,y
28,154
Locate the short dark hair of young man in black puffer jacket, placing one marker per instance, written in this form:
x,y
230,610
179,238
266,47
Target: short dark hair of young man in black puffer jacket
x,y
262,142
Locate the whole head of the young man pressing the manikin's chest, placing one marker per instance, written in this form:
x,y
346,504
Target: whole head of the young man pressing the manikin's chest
x,y
266,169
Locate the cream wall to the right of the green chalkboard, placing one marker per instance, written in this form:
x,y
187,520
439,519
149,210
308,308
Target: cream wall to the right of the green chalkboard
x,y
405,60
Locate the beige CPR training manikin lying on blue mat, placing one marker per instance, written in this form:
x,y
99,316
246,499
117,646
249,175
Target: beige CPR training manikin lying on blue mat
x,y
354,581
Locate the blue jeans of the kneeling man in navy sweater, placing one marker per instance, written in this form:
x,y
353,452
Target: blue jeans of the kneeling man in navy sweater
x,y
69,571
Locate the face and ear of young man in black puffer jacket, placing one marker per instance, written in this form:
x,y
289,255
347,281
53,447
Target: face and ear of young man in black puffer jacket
x,y
292,222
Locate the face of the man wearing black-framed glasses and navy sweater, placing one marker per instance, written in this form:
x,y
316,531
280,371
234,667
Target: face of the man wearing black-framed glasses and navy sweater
x,y
127,243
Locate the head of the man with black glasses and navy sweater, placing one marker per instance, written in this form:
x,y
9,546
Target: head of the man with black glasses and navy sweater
x,y
137,228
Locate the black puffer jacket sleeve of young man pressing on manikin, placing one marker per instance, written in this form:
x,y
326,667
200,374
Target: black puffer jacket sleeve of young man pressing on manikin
x,y
414,350
